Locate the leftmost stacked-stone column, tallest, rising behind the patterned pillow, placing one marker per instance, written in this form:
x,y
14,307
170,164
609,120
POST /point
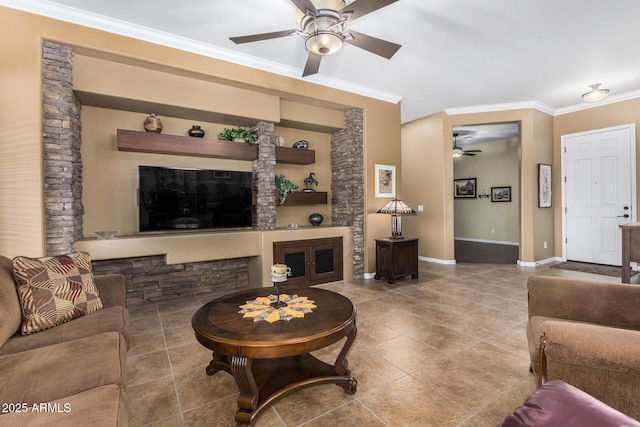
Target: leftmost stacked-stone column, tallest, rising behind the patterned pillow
x,y
62,162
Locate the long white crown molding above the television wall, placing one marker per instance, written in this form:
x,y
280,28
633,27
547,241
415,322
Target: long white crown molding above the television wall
x,y
126,29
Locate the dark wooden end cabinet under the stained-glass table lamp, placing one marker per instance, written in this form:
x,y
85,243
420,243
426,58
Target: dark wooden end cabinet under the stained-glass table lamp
x,y
396,257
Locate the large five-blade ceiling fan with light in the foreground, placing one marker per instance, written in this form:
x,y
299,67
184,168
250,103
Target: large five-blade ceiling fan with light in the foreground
x,y
324,24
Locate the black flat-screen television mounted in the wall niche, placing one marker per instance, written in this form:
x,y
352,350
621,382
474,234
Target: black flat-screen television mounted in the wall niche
x,y
178,199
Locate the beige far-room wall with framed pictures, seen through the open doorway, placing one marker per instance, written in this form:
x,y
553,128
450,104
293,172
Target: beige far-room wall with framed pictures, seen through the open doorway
x,y
480,218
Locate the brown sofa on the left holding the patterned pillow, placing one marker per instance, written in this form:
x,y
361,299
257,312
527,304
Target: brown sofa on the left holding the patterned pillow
x,y
71,374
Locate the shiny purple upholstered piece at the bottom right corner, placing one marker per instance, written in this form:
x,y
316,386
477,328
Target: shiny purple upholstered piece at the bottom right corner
x,y
558,404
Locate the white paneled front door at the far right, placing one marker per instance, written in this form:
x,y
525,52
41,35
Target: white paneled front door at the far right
x,y
598,193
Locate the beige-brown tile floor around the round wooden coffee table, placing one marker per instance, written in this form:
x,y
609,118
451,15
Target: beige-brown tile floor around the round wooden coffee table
x,y
447,349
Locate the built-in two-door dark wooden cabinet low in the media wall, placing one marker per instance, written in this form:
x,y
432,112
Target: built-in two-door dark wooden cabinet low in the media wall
x,y
312,261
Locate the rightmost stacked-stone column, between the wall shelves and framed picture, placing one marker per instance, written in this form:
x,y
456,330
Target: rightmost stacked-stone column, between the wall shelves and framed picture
x,y
347,183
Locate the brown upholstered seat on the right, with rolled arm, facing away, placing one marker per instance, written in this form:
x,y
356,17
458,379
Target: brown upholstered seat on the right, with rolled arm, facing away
x,y
587,334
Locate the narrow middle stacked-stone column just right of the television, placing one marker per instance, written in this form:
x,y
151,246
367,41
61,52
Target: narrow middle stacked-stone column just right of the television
x,y
264,170
